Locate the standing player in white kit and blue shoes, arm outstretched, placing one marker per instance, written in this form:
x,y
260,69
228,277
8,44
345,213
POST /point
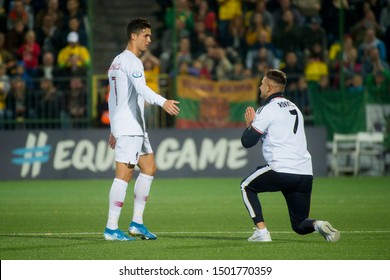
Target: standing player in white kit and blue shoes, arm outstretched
x,y
128,93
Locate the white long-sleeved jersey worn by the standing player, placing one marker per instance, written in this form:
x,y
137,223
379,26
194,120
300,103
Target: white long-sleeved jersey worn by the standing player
x,y
128,92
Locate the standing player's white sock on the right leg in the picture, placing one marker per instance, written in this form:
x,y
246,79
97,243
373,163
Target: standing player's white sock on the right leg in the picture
x,y
141,193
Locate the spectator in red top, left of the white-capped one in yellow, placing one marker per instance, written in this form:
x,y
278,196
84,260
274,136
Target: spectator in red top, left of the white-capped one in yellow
x,y
29,52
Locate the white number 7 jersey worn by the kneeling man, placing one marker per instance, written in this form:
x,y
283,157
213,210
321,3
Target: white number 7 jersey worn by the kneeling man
x,y
284,141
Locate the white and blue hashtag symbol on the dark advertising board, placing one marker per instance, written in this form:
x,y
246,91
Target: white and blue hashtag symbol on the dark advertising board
x,y
33,154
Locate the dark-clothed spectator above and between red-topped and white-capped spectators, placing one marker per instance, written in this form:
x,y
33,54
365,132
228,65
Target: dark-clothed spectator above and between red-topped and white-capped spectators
x,y
49,36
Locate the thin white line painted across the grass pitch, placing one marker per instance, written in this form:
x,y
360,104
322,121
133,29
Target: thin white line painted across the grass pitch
x,y
174,232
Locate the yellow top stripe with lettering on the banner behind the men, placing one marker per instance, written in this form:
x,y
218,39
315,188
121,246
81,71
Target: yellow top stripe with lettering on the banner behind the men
x,y
232,91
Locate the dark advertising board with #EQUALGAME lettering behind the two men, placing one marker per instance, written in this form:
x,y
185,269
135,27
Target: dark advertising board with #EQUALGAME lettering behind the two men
x,y
81,154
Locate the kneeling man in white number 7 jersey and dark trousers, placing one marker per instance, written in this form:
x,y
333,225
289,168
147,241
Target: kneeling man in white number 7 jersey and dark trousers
x,y
279,124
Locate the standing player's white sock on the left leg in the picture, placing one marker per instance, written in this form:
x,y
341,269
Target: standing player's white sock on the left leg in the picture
x,y
116,199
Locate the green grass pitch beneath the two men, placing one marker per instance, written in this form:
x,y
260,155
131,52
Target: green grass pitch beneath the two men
x,y
195,219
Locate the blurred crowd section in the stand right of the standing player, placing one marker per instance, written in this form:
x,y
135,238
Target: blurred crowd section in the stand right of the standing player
x,y
233,39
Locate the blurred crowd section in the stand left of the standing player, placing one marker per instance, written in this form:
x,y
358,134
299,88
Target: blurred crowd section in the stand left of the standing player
x,y
44,61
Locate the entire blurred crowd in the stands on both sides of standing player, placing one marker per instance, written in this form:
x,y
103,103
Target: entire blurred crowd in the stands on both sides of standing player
x,y
45,56
